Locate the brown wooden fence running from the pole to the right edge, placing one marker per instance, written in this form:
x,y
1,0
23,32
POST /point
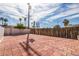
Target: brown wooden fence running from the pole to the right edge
x,y
69,32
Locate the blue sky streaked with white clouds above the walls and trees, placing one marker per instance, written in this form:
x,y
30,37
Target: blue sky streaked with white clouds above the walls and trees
x,y
46,14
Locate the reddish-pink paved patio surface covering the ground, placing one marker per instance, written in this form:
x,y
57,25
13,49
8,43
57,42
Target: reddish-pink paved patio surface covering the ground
x,y
42,46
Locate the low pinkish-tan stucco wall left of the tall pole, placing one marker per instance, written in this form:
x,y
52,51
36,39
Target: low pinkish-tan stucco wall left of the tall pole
x,y
14,31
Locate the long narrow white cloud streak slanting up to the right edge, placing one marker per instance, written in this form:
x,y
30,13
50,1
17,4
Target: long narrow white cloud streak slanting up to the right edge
x,y
63,14
